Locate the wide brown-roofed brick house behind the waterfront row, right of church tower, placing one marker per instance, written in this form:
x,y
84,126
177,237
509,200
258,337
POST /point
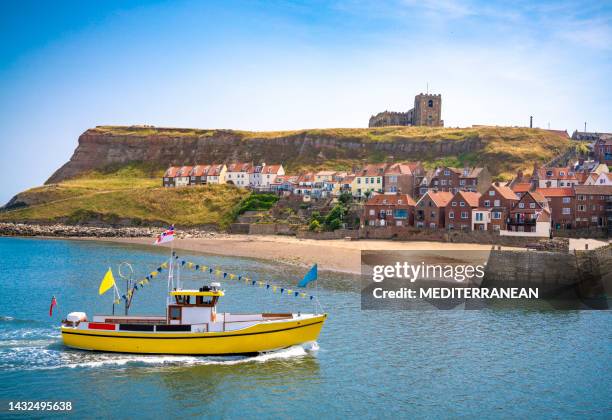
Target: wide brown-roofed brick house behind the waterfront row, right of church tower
x,y
451,179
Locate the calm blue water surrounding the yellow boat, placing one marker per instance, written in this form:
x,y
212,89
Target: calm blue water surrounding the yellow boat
x,y
492,363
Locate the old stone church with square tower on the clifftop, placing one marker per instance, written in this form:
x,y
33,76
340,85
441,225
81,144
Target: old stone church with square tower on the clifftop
x,y
427,111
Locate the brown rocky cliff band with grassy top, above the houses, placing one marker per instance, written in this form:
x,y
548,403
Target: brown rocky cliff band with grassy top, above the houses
x,y
105,146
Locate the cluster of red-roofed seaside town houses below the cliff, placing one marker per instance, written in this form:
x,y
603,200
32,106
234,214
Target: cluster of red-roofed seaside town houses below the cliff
x,y
397,196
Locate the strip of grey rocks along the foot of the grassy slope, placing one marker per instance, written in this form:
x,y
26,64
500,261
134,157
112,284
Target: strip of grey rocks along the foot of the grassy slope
x,y
72,231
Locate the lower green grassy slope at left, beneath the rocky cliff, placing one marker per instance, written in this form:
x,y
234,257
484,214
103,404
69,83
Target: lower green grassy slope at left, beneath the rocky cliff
x,y
126,195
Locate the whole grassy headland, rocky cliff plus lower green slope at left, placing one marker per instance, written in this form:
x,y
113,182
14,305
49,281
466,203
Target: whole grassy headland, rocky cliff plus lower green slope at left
x,y
106,182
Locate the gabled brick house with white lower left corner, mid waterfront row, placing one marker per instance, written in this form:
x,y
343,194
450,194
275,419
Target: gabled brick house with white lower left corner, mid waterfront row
x,y
494,208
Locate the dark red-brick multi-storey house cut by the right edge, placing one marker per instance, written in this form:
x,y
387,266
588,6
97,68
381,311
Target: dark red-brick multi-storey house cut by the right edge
x,y
593,205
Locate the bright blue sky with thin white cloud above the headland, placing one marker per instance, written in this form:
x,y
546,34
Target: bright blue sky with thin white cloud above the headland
x,y
66,66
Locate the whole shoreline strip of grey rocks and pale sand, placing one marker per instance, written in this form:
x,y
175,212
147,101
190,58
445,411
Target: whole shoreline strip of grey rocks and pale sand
x,y
337,255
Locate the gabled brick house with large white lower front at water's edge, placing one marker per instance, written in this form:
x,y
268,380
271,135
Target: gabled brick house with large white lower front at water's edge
x,y
530,217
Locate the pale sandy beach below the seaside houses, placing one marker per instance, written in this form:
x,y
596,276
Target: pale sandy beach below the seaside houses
x,y
331,255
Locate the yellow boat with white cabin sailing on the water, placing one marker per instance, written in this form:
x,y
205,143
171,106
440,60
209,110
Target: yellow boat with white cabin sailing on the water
x,y
191,326
